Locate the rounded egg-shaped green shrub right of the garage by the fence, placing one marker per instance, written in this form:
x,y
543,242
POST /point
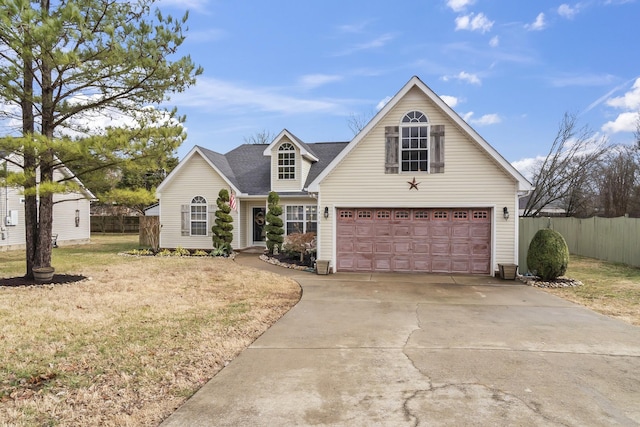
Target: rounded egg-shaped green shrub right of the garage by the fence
x,y
548,255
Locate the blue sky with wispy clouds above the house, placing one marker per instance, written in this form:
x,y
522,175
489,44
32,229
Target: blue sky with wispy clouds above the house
x,y
510,68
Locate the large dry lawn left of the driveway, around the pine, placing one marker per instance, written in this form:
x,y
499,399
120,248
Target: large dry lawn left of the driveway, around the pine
x,y
129,345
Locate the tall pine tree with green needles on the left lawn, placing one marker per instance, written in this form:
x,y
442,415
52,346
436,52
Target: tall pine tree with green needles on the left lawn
x,y
65,63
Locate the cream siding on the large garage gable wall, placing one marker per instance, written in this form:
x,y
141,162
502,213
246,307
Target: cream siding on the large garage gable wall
x,y
471,178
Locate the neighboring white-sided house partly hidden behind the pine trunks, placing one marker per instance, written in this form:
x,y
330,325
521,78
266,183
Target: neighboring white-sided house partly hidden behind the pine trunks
x,y
71,218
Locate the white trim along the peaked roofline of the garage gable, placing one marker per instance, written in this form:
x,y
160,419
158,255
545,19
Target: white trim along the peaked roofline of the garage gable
x,y
523,183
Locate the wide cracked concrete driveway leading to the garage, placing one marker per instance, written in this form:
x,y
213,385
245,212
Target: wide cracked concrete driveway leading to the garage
x,y
426,350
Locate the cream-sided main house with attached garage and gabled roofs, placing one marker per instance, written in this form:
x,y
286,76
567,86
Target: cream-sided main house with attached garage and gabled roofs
x,y
416,190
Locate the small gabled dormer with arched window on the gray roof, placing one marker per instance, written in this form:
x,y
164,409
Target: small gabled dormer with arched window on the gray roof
x,y
291,160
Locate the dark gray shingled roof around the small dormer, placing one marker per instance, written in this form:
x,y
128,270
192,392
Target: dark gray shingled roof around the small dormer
x,y
249,170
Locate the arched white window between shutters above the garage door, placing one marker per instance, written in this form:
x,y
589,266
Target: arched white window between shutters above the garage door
x,y
414,142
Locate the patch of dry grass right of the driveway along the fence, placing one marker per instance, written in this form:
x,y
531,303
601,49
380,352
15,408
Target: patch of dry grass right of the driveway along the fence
x,y
610,289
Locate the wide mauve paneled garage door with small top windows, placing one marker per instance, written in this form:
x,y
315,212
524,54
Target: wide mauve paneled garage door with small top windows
x,y
417,240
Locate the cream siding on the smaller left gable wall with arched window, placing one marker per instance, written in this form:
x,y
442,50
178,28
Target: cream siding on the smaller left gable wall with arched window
x,y
197,178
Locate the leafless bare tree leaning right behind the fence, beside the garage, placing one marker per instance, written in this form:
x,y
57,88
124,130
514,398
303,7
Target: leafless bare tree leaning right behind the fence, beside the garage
x,y
561,176
